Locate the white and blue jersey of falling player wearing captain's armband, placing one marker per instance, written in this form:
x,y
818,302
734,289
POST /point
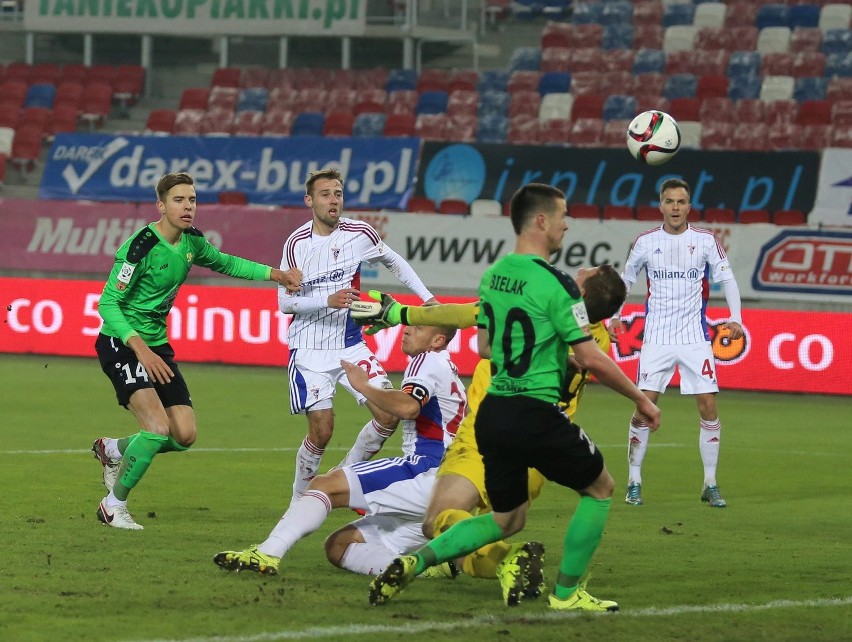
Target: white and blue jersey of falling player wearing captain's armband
x,y
434,381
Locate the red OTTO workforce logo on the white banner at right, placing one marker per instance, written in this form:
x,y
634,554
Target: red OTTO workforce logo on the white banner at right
x,y
806,262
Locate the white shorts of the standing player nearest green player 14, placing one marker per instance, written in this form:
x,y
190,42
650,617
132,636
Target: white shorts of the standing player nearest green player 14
x,y
314,375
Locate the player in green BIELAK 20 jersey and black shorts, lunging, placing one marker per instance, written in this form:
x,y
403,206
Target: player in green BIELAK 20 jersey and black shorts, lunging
x,y
530,312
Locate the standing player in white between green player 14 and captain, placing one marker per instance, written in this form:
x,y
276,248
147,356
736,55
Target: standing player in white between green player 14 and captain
x,y
329,250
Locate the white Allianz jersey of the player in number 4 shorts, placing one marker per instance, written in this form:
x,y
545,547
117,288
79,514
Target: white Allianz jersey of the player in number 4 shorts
x,y
678,268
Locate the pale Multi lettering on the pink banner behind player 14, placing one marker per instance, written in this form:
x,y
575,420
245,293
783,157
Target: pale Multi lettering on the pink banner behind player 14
x,y
63,236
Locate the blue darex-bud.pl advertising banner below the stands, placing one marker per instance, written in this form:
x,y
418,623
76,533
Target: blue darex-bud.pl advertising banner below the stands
x,y
127,168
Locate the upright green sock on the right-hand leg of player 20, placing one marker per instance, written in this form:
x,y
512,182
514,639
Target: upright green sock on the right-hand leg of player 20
x,y
581,540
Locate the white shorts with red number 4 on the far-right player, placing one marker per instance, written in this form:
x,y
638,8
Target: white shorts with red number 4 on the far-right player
x,y
694,361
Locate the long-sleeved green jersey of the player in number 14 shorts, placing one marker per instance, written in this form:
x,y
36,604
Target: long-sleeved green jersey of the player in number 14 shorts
x,y
147,274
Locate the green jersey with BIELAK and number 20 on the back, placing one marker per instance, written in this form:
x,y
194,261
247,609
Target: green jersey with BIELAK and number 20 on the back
x,y
532,312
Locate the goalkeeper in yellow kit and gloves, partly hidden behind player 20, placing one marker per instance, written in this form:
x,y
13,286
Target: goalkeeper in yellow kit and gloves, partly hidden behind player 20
x,y
459,490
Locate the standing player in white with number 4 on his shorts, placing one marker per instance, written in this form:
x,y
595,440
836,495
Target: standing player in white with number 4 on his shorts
x,y
678,259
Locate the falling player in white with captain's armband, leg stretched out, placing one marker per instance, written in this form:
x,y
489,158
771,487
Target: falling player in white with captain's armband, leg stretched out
x,y
392,493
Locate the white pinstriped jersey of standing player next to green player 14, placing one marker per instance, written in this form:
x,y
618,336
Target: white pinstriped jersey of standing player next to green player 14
x,y
328,264
